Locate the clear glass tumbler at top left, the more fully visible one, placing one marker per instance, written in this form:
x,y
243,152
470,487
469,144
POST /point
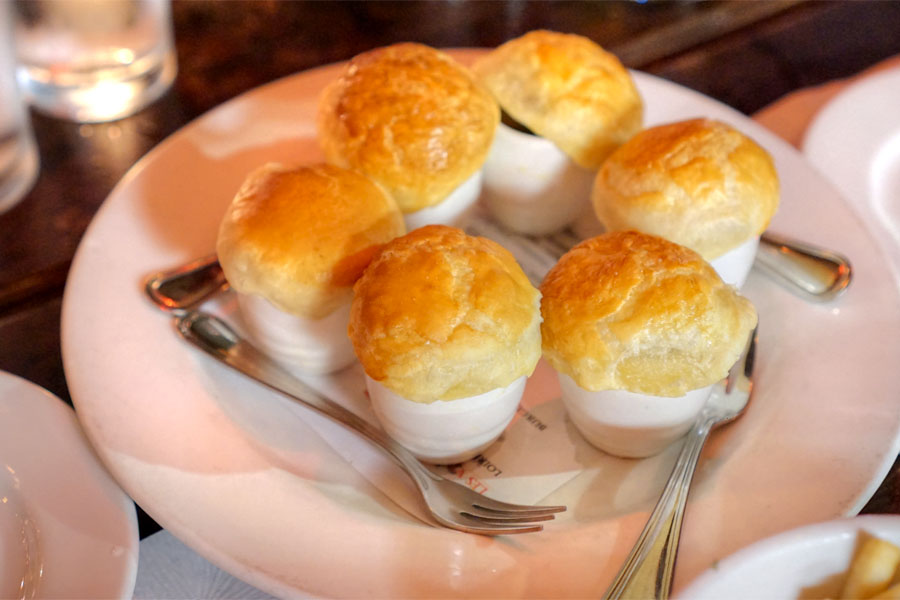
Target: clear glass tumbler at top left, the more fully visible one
x,y
93,60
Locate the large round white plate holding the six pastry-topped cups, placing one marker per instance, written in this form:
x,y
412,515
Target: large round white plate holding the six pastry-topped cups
x,y
239,474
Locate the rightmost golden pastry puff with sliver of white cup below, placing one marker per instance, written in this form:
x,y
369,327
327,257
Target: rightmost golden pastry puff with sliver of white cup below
x,y
700,183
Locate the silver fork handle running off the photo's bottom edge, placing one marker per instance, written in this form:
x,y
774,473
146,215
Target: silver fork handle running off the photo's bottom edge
x,y
648,570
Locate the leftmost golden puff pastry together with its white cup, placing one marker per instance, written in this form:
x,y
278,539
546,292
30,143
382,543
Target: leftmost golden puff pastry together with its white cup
x,y
292,243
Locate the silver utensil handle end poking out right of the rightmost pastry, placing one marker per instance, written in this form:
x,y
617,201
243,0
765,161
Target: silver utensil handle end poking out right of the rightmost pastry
x,y
814,273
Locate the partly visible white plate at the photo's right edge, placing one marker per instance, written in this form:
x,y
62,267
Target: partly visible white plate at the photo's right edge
x,y
855,142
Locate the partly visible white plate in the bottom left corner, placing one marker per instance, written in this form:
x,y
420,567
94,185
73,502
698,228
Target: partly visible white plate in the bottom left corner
x,y
66,529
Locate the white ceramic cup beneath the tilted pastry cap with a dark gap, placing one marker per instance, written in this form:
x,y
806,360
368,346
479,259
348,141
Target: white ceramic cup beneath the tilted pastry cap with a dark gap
x,y
531,186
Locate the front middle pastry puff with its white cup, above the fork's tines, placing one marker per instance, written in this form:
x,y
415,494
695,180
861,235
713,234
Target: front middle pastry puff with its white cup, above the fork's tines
x,y
447,328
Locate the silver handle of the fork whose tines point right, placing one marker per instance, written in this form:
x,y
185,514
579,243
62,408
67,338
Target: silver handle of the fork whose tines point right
x,y
218,339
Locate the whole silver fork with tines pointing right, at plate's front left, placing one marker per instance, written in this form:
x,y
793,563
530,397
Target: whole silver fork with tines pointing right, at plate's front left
x,y
451,504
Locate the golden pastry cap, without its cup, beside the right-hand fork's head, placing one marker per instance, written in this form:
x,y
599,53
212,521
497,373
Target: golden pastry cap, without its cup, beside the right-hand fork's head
x,y
631,311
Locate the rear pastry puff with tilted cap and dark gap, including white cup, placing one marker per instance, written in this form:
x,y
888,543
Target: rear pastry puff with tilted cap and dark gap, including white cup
x,y
570,103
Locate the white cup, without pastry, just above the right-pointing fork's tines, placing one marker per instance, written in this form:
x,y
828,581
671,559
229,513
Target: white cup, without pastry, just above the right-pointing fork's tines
x,y
446,432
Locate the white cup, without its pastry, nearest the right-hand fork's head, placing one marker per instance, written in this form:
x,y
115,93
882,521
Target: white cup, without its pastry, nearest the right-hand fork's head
x,y
628,424
